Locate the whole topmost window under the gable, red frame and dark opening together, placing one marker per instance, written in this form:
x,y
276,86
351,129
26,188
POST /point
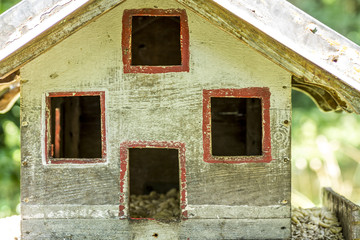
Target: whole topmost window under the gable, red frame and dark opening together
x,y
155,41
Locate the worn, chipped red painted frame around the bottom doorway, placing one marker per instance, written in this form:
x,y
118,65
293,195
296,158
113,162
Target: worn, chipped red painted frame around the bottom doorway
x,y
124,174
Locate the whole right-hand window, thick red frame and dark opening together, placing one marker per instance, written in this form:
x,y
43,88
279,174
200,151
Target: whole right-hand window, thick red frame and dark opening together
x,y
236,125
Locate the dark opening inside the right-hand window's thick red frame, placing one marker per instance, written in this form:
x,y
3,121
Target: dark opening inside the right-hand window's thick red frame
x,y
236,126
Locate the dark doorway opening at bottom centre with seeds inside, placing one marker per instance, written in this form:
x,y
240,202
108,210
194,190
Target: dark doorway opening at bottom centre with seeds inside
x,y
154,183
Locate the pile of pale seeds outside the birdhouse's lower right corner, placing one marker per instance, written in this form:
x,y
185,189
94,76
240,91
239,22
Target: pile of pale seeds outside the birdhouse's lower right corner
x,y
315,224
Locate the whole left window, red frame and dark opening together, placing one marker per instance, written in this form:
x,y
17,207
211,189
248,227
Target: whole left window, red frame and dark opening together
x,y
76,127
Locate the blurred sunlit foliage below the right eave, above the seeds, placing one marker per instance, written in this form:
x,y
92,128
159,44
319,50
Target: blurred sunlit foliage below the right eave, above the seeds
x,y
325,151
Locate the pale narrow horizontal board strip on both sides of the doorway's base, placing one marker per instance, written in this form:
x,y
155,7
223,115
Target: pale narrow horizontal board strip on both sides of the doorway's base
x,y
72,211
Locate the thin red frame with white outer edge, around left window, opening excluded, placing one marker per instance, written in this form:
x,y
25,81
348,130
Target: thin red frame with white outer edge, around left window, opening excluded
x,y
51,160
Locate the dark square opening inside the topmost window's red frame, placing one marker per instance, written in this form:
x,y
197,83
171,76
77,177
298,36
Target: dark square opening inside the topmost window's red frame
x,y
155,41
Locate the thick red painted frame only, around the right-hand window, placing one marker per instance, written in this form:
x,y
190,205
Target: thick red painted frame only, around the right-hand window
x,y
255,92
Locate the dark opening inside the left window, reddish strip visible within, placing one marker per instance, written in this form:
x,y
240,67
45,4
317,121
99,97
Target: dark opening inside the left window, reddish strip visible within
x,y
75,127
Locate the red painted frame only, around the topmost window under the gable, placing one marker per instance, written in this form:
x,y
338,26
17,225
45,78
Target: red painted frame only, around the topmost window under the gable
x,y
126,40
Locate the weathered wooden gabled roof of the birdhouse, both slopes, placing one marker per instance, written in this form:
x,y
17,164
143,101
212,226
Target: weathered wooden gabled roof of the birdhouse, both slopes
x,y
324,64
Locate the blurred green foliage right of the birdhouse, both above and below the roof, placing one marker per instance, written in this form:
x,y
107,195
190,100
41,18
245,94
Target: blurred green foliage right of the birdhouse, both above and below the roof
x,y
326,146
